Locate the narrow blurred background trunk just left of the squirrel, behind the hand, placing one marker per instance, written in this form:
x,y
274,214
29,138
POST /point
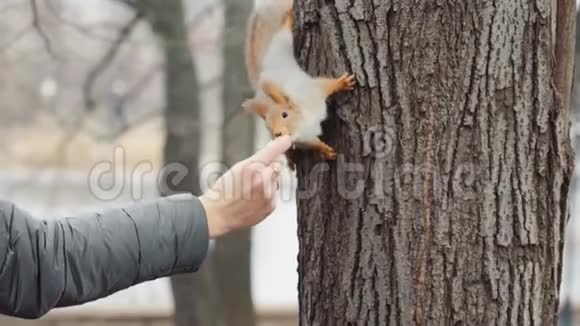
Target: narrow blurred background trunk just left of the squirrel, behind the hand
x,y
232,256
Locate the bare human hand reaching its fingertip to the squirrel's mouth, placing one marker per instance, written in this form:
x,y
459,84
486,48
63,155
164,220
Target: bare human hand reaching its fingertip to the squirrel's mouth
x,y
246,194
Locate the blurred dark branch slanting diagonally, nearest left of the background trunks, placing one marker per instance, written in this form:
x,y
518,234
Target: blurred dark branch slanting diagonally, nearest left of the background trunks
x,y
106,60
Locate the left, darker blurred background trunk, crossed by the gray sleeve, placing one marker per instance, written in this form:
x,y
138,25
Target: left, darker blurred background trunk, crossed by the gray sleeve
x,y
196,301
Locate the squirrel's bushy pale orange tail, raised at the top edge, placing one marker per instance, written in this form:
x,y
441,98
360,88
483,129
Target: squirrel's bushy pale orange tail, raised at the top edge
x,y
266,19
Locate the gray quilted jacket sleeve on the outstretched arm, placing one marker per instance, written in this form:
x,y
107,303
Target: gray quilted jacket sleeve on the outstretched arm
x,y
57,263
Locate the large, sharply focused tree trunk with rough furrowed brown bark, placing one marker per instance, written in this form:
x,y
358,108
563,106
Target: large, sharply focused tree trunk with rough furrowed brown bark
x,y
447,204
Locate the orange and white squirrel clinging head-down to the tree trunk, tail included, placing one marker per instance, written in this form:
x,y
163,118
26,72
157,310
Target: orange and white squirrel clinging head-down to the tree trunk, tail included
x,y
290,101
